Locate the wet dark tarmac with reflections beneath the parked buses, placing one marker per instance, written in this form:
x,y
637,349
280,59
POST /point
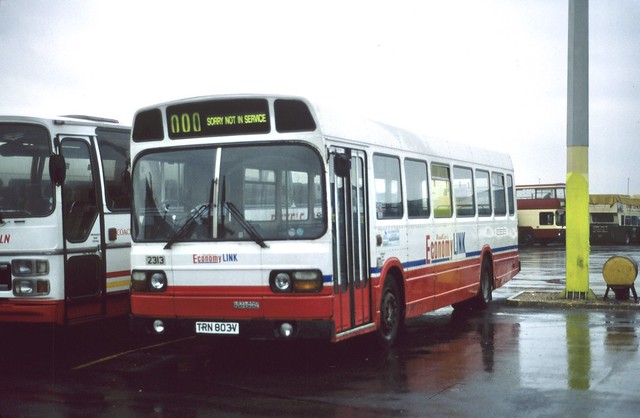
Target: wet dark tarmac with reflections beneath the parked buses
x,y
511,360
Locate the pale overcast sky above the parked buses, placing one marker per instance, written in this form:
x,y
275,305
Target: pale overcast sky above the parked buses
x,y
487,72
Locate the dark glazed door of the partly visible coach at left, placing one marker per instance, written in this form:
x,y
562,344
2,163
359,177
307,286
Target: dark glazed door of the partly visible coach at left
x,y
83,277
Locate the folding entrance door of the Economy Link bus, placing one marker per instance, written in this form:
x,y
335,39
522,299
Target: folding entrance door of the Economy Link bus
x,y
350,228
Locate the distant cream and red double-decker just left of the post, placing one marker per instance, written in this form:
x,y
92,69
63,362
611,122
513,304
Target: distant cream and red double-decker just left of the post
x,y
541,213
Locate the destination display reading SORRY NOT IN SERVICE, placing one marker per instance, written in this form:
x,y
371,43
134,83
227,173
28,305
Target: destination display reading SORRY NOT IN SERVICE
x,y
218,118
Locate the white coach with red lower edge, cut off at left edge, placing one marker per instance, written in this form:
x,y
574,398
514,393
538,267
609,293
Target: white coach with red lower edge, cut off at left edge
x,y
64,219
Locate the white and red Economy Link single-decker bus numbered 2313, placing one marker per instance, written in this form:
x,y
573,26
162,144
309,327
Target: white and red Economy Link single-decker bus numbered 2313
x,y
263,217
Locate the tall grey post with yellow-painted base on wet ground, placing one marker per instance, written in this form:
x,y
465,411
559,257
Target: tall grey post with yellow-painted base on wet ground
x,y
577,234
